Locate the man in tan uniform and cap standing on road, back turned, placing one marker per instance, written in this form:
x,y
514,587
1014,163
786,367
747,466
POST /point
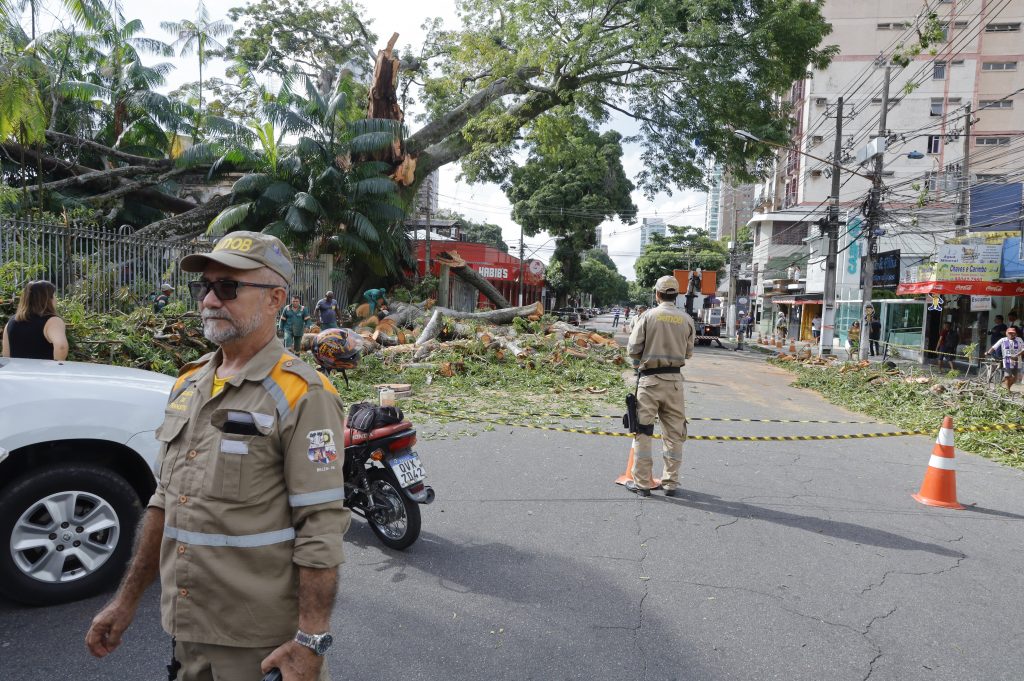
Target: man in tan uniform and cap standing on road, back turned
x,y
661,344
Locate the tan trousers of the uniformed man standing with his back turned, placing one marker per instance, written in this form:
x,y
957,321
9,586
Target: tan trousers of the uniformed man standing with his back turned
x,y
660,396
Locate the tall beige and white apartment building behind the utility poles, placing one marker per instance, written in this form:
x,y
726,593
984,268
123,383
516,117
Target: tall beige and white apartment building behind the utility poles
x,y
979,64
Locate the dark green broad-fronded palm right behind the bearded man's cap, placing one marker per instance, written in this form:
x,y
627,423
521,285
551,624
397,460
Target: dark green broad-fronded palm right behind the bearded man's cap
x,y
316,197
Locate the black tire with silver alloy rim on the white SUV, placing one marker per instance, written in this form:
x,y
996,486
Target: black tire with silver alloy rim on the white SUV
x,y
39,510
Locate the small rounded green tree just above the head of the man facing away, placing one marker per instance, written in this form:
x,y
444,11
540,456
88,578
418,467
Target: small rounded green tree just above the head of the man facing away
x,y
681,248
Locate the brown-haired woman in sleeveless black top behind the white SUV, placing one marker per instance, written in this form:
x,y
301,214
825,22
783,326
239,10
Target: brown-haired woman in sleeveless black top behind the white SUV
x,y
36,332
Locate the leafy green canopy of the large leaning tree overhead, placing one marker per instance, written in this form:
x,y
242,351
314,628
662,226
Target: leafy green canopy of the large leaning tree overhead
x,y
687,71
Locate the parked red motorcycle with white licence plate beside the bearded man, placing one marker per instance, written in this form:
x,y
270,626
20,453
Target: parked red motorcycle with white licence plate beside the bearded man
x,y
385,482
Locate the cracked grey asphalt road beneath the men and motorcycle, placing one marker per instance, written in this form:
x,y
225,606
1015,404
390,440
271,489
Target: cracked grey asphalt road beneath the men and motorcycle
x,y
784,561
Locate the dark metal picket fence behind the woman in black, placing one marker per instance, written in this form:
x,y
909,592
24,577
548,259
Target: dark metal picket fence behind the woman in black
x,y
109,271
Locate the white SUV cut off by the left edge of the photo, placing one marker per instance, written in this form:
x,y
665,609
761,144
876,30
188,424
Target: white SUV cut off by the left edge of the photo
x,y
77,454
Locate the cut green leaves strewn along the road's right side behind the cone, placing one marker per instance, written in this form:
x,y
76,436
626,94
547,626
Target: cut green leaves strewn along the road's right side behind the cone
x,y
888,397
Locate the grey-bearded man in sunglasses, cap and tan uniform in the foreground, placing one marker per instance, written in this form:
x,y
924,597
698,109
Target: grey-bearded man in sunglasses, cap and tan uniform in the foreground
x,y
246,526
